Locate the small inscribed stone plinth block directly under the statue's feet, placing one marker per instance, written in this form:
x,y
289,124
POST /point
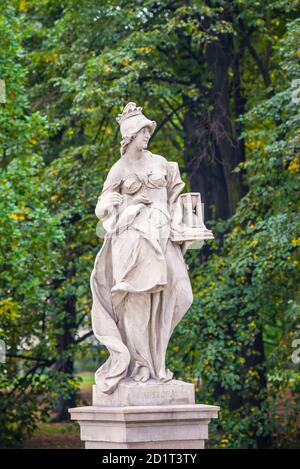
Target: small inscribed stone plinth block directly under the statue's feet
x,y
132,393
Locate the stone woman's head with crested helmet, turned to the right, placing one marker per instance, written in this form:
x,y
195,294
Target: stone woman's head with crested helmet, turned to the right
x,y
134,126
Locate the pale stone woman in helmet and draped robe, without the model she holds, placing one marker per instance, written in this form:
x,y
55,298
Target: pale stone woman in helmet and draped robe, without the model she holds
x,y
140,284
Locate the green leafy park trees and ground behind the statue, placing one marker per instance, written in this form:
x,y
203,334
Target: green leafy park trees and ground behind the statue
x,y
222,80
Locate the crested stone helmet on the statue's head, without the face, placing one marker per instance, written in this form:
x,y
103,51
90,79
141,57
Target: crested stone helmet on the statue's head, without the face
x,y
132,120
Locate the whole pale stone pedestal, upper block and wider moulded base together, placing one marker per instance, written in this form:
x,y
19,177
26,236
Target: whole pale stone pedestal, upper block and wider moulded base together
x,y
151,415
